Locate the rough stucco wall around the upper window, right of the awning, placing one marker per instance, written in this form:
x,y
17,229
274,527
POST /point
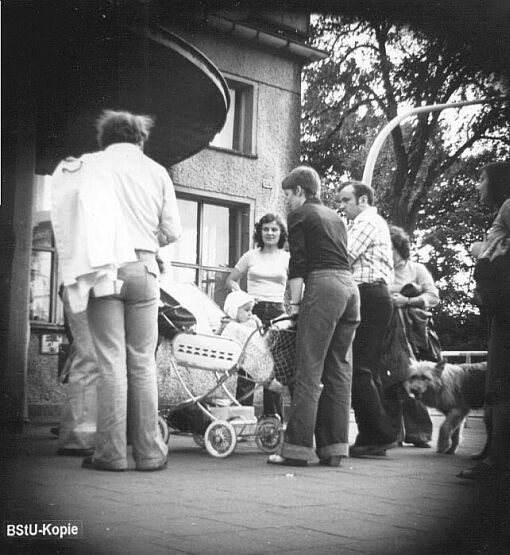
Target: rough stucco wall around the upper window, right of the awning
x,y
278,107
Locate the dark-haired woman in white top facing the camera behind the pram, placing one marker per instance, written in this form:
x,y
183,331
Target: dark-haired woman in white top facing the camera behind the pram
x,y
266,269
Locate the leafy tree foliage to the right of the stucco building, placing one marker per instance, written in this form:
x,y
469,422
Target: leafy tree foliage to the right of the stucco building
x,y
426,171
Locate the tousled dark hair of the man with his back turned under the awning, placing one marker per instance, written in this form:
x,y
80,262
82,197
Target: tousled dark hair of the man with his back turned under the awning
x,y
122,127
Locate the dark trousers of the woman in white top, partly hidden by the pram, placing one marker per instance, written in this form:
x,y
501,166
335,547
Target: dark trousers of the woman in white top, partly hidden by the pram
x,y
272,401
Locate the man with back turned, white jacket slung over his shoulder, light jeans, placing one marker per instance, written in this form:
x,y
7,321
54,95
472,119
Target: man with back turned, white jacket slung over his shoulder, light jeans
x,y
123,319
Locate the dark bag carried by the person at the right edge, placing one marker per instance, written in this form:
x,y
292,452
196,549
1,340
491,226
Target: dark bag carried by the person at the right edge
x,y
492,277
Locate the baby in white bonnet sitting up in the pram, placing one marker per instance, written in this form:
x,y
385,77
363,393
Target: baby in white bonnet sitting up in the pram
x,y
241,325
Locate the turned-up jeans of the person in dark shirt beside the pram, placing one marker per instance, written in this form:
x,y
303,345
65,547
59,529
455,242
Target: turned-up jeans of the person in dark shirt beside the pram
x,y
327,321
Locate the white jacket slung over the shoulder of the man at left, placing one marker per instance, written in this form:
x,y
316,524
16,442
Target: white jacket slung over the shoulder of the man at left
x,y
90,231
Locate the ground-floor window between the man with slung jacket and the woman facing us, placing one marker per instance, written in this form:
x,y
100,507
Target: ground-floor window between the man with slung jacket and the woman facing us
x,y
214,237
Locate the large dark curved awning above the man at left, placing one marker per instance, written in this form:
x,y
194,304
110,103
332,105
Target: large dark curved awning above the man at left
x,y
81,71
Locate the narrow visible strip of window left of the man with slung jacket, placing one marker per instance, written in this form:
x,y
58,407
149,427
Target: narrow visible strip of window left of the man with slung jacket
x,y
45,304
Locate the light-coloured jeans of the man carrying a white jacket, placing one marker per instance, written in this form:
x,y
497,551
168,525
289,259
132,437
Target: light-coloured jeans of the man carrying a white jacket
x,y
125,333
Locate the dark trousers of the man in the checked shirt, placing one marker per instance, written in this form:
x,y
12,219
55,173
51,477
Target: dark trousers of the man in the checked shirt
x,y
376,426
